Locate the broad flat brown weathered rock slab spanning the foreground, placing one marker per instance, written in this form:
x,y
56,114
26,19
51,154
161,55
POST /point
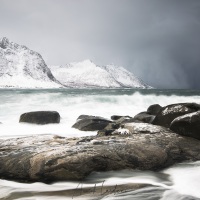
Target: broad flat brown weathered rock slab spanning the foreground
x,y
50,158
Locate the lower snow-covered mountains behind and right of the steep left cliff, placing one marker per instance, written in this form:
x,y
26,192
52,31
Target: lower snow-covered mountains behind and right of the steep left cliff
x,y
86,74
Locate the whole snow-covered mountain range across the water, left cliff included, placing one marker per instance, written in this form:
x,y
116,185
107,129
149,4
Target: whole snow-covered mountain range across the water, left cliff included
x,y
21,67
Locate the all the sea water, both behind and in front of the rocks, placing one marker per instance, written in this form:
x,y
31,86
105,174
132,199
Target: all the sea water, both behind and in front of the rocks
x,y
181,182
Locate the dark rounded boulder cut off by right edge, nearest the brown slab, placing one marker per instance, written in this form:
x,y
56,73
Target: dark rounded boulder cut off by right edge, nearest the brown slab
x,y
187,125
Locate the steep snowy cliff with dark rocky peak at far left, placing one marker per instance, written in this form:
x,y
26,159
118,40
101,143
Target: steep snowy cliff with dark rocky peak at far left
x,y
21,67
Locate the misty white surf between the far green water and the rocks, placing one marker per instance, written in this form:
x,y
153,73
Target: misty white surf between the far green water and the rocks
x,y
70,106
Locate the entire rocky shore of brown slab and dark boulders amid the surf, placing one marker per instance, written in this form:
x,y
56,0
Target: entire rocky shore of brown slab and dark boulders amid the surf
x,y
152,140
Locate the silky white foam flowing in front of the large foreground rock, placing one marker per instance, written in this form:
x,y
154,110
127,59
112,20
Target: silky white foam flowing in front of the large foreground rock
x,y
176,183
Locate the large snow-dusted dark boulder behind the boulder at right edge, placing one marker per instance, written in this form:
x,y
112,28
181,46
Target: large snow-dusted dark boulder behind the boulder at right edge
x,y
168,113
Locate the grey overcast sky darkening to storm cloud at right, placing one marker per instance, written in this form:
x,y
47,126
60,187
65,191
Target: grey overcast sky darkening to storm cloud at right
x,y
157,40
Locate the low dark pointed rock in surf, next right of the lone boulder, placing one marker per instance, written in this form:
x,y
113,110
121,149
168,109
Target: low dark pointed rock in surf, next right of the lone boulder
x,y
91,123
